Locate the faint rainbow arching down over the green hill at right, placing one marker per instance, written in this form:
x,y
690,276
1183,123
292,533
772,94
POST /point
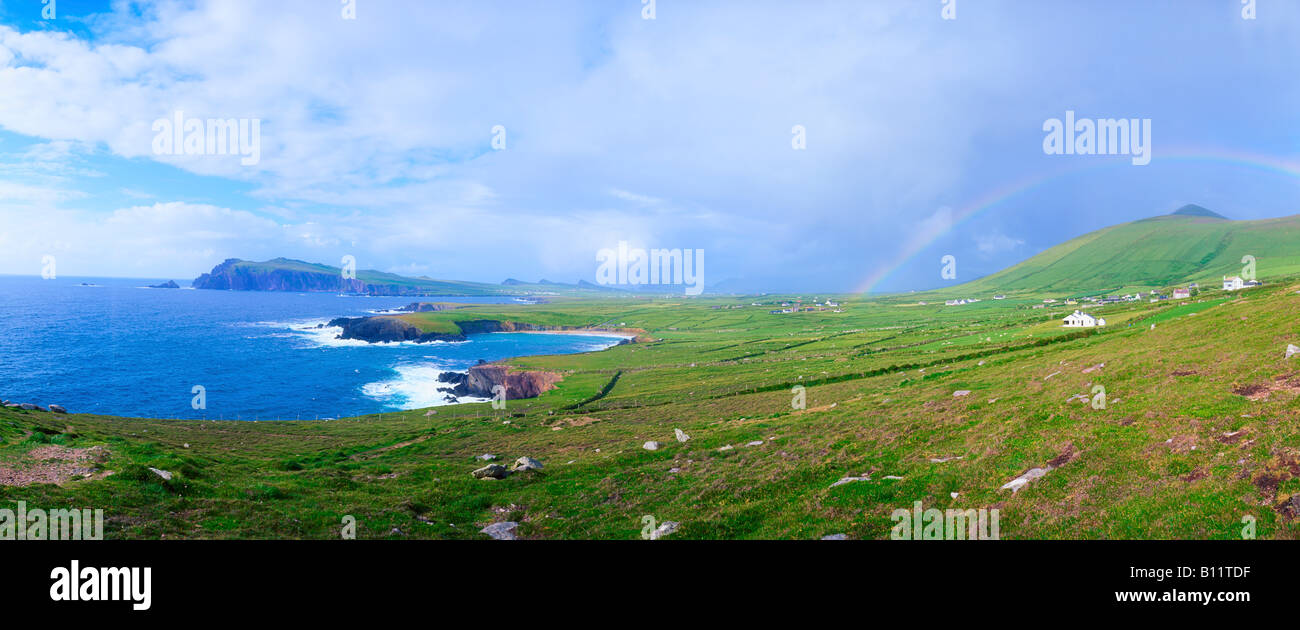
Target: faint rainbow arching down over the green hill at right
x,y
929,234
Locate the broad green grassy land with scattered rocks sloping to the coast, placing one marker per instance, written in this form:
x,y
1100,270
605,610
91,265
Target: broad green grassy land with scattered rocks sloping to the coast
x,y
1201,429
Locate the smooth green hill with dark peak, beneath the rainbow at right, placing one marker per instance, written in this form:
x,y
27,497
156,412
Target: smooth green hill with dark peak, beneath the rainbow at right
x,y
1194,245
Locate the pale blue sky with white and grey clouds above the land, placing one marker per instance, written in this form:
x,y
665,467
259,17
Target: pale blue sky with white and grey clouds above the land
x,y
486,141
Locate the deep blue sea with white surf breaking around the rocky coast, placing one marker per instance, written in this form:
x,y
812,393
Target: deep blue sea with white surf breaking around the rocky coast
x,y
111,346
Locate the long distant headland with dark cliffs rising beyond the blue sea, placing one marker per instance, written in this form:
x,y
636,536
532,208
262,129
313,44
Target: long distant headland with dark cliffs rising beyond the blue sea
x,y
288,275
